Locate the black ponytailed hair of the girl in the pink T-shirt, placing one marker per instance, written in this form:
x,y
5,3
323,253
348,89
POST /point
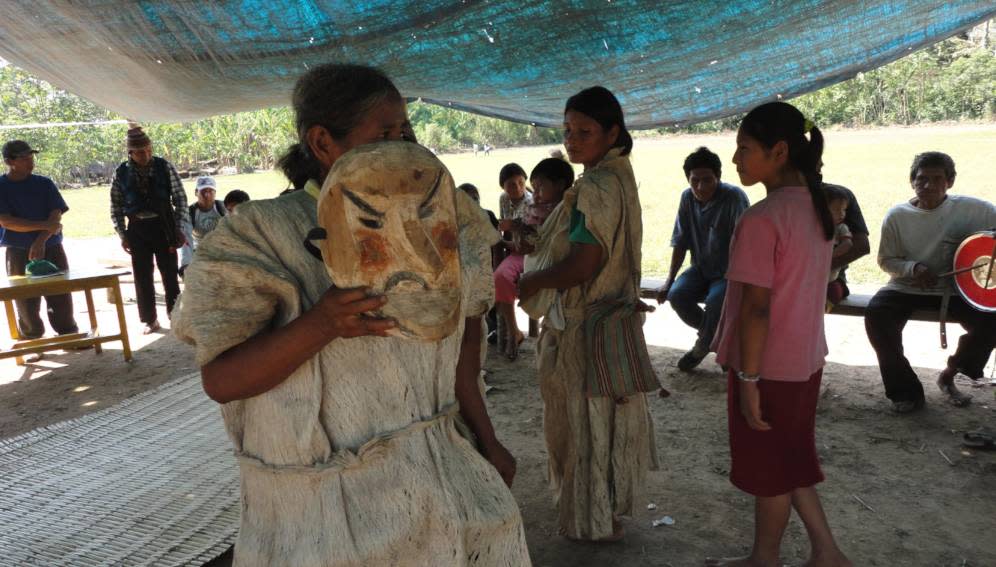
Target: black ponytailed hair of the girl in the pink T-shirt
x,y
781,122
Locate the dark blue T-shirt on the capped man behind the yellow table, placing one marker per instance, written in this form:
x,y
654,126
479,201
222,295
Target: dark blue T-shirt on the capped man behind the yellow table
x,y
32,198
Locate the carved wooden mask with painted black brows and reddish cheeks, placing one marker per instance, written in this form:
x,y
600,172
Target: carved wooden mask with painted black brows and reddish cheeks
x,y
389,212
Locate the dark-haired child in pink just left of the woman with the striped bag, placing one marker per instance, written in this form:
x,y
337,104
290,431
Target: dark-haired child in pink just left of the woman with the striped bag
x,y
550,178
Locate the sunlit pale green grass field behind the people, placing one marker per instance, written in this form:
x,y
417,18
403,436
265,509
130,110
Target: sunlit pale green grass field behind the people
x,y
872,163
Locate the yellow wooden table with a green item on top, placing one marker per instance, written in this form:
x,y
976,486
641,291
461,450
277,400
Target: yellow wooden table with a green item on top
x,y
85,280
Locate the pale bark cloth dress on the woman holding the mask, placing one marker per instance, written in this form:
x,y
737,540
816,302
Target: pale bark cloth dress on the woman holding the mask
x,y
354,459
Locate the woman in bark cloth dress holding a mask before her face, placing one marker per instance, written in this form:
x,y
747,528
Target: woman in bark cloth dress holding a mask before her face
x,y
346,437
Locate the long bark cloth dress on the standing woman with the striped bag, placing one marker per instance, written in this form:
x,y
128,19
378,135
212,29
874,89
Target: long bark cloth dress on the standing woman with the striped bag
x,y
599,450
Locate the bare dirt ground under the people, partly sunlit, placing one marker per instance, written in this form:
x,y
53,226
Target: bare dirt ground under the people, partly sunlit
x,y
891,495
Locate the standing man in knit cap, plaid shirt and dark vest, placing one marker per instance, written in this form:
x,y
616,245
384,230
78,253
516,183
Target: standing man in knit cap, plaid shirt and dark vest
x,y
148,192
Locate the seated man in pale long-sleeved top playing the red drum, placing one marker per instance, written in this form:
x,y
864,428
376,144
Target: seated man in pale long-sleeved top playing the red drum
x,y
919,239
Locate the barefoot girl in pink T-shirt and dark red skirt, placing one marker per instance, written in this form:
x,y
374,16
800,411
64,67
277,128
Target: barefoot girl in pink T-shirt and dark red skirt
x,y
770,333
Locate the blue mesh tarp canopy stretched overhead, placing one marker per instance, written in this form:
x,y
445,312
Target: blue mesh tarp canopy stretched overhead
x,y
670,62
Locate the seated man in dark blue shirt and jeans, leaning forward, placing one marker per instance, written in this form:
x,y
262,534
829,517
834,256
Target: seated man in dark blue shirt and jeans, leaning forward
x,y
707,214
